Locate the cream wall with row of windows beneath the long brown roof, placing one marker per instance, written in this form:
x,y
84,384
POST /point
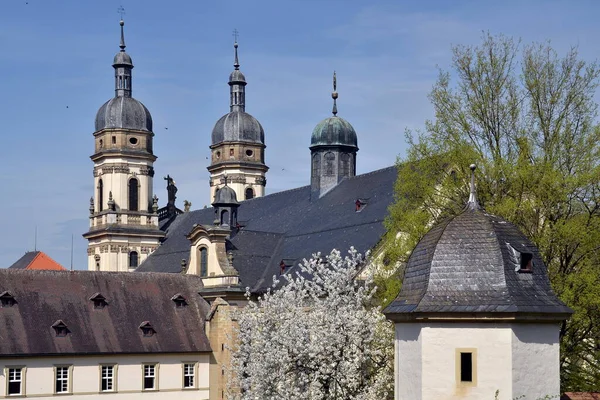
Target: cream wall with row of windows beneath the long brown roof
x,y
85,376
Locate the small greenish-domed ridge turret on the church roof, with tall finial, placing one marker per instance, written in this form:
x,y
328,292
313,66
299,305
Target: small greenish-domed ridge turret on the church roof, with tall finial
x,y
333,147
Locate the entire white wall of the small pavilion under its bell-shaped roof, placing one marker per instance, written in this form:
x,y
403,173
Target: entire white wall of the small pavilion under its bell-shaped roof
x,y
518,359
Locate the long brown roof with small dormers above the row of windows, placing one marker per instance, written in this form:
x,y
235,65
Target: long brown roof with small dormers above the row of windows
x,y
45,297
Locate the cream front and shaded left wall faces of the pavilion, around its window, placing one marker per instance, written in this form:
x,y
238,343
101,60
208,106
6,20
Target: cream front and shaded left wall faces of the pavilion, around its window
x,y
439,343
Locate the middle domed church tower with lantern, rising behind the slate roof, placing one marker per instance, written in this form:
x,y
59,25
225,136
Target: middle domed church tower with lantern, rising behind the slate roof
x,y
238,145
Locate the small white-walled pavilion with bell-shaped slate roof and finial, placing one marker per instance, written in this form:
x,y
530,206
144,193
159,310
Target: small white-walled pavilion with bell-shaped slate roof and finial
x,y
476,314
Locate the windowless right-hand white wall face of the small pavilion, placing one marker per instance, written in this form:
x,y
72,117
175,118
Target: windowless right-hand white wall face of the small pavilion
x,y
536,360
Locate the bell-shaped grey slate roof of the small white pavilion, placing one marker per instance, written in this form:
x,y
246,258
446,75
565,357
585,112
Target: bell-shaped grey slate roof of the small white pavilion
x,y
464,265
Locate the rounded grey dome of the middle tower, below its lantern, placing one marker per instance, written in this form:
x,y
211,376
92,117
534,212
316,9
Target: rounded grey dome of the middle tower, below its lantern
x,y
238,126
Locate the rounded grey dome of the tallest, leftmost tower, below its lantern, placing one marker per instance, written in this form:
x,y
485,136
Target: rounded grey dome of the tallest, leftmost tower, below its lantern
x,y
125,113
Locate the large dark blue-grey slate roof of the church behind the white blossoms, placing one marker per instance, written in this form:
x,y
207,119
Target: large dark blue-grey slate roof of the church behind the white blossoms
x,y
288,226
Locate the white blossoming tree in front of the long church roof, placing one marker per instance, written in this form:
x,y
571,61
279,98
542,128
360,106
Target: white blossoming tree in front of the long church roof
x,y
314,336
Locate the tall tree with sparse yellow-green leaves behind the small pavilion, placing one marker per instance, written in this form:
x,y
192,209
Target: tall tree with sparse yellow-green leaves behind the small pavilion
x,y
526,117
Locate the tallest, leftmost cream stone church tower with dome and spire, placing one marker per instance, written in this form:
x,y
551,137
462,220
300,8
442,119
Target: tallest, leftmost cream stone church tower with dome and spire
x,y
123,213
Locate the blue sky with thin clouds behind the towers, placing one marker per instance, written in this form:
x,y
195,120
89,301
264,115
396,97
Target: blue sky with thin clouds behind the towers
x,y
55,72
